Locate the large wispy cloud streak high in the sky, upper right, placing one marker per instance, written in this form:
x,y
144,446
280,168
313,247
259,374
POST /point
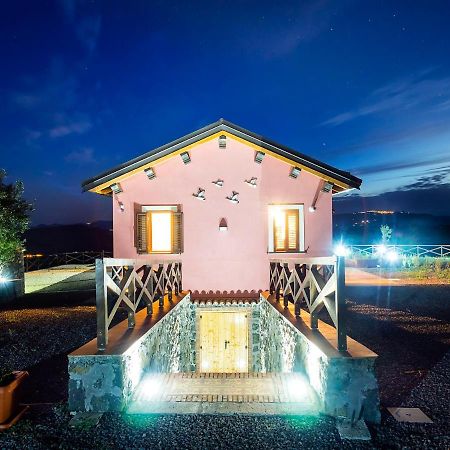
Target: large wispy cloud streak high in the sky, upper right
x,y
412,93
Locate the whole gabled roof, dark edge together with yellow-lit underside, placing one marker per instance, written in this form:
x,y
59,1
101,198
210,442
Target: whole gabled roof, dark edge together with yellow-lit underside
x,y
341,180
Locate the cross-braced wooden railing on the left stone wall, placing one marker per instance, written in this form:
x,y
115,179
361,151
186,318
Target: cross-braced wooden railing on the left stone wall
x,y
131,284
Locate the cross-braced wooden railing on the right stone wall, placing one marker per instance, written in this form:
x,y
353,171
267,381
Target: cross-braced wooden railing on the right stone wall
x,y
315,283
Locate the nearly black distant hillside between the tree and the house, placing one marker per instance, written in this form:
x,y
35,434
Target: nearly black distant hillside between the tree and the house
x,y
48,239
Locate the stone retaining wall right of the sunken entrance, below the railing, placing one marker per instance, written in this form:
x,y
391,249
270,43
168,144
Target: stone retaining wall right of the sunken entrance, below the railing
x,y
345,386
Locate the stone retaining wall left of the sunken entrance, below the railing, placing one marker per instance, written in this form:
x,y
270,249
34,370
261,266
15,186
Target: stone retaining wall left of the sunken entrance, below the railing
x,y
107,382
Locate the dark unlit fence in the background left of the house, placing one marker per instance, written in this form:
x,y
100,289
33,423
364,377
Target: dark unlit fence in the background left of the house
x,y
36,262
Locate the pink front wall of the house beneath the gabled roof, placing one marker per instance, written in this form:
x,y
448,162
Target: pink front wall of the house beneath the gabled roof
x,y
213,259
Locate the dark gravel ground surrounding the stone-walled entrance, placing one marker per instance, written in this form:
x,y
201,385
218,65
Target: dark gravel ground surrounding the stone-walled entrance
x,y
413,370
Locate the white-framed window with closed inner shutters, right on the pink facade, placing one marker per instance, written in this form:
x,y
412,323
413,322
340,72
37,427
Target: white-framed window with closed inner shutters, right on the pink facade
x,y
286,228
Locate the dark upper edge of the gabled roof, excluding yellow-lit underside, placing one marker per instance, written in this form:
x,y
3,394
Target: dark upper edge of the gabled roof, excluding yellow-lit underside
x,y
222,125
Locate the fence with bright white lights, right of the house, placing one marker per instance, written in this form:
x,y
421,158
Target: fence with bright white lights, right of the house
x,y
406,250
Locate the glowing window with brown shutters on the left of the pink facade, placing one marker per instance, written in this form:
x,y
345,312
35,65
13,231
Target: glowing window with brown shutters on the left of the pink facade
x,y
159,230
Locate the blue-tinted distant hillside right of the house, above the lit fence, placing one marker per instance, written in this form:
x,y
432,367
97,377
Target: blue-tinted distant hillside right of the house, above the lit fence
x,y
408,228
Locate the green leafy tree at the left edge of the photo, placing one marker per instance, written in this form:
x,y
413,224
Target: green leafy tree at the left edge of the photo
x,y
14,221
